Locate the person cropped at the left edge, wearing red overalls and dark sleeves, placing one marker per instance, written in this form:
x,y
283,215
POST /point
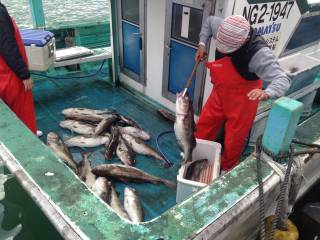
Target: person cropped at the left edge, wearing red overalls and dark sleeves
x,y
15,81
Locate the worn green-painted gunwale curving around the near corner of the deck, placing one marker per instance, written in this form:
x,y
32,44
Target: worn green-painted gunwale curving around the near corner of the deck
x,y
91,217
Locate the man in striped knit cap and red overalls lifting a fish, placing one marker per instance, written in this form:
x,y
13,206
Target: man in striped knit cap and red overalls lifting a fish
x,y
243,61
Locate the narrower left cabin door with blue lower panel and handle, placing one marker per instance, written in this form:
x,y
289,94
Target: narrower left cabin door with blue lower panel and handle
x,y
132,38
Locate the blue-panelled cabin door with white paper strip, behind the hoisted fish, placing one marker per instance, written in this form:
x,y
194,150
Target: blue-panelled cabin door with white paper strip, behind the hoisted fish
x,y
183,25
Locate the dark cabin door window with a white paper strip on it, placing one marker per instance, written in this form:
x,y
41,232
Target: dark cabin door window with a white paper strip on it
x,y
182,28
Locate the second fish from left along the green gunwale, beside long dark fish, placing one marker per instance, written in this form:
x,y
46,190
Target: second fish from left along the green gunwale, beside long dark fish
x,y
84,171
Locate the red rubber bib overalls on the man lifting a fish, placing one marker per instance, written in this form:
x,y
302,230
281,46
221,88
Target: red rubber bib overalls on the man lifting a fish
x,y
229,106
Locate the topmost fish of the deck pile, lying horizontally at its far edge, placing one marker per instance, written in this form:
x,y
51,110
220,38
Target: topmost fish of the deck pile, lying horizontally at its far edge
x,y
87,115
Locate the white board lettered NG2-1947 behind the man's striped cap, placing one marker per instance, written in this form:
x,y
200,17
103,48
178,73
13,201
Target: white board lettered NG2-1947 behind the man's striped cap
x,y
275,21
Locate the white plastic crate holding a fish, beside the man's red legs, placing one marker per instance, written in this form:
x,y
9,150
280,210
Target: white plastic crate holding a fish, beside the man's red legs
x,y
204,150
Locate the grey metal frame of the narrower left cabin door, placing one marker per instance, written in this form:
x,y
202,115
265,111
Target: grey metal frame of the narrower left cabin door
x,y
143,32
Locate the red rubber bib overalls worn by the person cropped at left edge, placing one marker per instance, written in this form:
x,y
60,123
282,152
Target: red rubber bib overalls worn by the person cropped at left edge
x,y
12,90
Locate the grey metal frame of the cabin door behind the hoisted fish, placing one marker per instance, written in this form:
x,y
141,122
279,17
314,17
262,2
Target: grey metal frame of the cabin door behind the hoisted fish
x,y
207,6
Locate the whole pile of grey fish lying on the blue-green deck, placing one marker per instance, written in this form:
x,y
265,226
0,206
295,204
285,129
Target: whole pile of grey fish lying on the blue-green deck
x,y
122,137
